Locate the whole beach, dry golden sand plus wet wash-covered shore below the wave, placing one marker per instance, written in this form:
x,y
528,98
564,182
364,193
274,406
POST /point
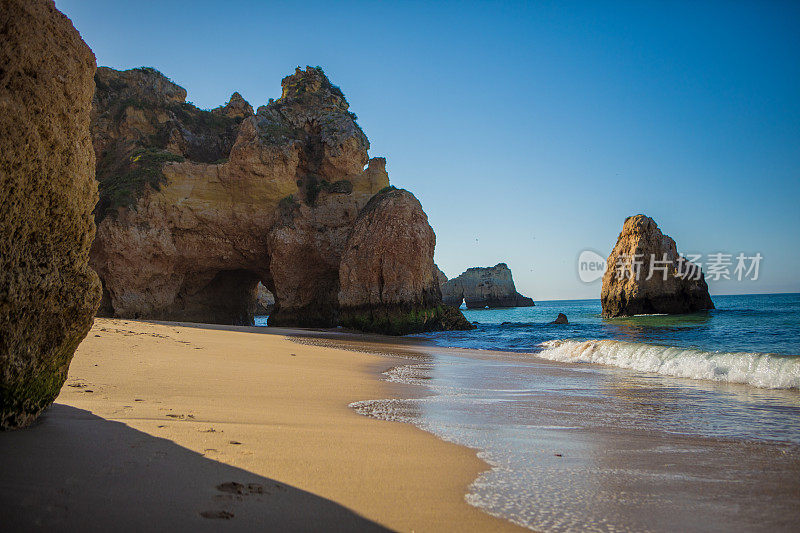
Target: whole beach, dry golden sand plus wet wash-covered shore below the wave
x,y
179,425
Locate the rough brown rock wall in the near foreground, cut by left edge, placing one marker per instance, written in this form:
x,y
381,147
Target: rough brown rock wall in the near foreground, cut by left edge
x,y
48,293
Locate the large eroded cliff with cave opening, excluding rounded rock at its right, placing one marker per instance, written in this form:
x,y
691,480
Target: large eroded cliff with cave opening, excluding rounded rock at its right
x,y
199,206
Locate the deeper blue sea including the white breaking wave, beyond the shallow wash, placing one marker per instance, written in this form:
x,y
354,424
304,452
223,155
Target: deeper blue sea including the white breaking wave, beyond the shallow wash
x,y
750,339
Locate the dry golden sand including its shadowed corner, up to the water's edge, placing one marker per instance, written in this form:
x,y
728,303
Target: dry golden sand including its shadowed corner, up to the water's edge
x,y
168,426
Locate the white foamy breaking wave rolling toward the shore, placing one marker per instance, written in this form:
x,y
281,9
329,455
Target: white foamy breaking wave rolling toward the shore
x,y
771,371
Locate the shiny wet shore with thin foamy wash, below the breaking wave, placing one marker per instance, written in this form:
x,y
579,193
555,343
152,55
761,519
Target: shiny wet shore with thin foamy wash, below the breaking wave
x,y
592,448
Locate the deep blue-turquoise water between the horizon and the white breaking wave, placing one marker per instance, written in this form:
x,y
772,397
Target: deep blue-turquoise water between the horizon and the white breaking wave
x,y
767,323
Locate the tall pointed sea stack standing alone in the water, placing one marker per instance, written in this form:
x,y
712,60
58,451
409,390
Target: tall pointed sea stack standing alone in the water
x,y
625,293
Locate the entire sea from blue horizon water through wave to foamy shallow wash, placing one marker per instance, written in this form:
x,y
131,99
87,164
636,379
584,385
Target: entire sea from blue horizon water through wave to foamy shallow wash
x,y
650,423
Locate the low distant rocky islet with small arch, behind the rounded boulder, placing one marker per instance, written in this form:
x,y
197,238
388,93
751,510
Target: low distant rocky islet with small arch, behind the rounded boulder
x,y
482,287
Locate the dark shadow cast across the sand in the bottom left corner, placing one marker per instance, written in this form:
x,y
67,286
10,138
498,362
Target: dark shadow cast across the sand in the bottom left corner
x,y
76,471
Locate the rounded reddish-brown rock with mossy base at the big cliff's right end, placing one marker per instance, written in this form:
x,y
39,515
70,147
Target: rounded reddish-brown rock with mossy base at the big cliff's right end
x,y
387,277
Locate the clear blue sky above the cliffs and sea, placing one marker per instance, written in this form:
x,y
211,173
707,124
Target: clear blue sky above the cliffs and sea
x,y
529,131
